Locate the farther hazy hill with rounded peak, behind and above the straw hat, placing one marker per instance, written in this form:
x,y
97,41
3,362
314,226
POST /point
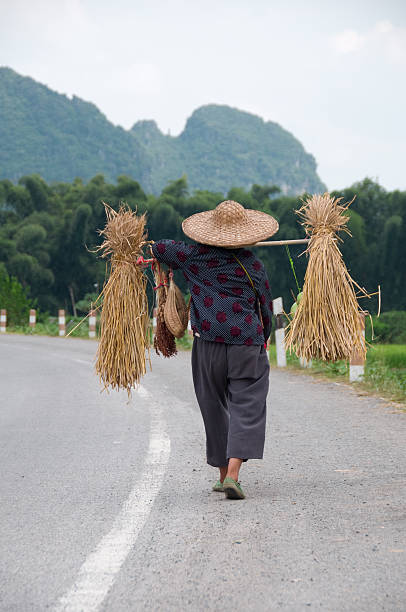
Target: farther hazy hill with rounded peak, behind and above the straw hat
x,y
222,146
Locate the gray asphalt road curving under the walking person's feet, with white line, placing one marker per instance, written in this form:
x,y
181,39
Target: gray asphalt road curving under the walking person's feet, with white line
x,y
107,505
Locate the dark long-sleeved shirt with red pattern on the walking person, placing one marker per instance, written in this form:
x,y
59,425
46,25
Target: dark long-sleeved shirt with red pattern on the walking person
x,y
224,307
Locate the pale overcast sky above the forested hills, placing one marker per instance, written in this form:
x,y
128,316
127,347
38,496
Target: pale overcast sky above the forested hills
x,y
332,73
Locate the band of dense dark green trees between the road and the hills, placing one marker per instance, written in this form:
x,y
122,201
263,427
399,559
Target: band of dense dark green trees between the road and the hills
x,y
47,233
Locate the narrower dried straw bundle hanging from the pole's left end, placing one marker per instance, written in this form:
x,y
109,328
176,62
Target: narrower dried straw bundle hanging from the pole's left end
x,y
122,351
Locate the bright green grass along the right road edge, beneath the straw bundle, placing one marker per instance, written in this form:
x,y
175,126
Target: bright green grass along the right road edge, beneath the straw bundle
x,y
385,370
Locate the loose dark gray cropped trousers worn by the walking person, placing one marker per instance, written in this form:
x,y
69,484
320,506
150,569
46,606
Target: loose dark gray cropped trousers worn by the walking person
x,y
231,383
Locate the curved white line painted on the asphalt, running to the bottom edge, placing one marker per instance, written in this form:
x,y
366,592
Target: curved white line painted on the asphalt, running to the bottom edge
x,y
100,569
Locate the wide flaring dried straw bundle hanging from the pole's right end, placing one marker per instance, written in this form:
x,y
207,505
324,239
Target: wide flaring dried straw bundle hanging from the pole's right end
x,y
327,322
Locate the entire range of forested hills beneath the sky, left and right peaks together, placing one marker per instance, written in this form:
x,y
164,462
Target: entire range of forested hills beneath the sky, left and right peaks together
x,y
61,139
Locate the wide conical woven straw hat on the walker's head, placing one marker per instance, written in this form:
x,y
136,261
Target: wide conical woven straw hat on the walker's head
x,y
230,225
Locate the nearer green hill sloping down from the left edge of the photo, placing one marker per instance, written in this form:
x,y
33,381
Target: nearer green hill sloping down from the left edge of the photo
x,y
45,132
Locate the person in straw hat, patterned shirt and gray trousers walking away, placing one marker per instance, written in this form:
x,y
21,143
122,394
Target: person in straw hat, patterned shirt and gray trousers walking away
x,y
231,309
